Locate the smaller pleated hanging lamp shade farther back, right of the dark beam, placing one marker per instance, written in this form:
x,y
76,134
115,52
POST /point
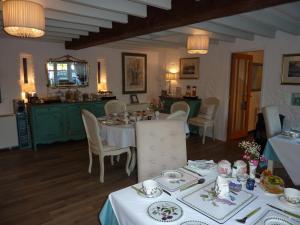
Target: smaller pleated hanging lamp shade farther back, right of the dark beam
x,y
197,44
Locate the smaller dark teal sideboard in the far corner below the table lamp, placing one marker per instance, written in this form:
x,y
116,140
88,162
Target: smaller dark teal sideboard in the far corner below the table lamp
x,y
193,103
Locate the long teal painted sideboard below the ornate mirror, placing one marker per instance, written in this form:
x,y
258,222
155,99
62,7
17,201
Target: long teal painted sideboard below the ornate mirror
x,y
60,122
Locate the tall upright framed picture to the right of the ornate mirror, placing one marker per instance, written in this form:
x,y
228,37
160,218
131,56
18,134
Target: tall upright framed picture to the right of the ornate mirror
x,y
134,73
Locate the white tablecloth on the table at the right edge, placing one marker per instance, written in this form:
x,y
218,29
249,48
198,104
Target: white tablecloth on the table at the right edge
x,y
288,152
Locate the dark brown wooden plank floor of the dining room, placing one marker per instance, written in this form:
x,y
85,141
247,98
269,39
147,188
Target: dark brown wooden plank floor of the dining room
x,y
52,186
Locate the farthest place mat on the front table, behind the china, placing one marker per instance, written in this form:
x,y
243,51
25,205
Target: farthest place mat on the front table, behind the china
x,y
202,167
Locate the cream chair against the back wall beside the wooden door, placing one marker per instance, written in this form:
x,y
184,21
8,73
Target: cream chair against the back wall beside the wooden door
x,y
206,117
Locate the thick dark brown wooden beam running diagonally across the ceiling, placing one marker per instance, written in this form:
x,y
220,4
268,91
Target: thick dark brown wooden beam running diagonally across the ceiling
x,y
183,12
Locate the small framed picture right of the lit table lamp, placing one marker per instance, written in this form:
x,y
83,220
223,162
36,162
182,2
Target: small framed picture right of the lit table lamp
x,y
189,68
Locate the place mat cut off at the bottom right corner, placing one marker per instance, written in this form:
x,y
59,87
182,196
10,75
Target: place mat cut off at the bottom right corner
x,y
275,217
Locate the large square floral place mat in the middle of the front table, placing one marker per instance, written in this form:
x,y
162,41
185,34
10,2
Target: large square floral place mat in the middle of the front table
x,y
206,202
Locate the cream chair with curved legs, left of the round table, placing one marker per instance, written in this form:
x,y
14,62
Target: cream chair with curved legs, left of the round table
x,y
97,147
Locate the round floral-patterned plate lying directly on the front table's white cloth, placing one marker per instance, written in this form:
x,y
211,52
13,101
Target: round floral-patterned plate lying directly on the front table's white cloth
x,y
164,211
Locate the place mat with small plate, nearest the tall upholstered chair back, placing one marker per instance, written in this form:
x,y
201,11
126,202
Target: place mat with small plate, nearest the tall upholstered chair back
x,y
172,185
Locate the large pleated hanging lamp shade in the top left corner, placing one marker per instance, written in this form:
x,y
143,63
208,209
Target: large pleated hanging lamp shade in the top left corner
x,y
23,18
